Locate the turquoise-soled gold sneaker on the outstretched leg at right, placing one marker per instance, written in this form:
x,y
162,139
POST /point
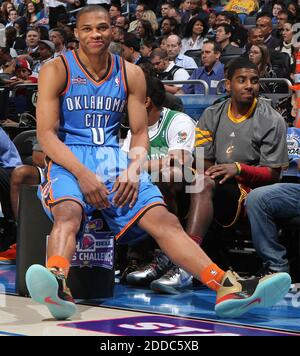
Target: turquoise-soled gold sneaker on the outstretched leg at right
x,y
237,296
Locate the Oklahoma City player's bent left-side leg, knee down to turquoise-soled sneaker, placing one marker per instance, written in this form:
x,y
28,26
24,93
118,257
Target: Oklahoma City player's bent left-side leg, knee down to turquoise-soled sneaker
x,y
48,285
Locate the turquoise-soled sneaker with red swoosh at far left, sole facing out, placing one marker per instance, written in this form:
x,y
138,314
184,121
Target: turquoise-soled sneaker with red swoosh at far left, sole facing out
x,y
48,287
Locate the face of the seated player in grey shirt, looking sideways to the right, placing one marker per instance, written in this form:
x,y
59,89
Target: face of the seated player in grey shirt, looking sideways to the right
x,y
243,86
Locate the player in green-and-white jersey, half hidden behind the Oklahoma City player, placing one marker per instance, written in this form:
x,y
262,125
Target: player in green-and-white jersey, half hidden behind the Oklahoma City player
x,y
172,138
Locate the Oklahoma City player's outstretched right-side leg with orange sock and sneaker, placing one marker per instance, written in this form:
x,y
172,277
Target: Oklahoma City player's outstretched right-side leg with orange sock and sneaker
x,y
235,296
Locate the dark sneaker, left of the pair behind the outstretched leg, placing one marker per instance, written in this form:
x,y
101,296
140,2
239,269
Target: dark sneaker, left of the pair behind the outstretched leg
x,y
151,271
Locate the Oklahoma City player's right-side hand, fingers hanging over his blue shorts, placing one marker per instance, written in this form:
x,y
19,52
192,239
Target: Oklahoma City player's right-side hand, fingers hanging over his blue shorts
x,y
126,187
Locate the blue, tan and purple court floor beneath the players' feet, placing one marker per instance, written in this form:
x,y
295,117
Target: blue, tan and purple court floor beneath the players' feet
x,y
142,312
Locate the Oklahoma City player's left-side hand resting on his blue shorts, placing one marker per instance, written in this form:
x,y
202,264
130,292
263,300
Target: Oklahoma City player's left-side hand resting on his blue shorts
x,y
94,190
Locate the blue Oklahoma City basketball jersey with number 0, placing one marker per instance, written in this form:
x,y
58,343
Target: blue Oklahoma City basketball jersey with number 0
x,y
91,110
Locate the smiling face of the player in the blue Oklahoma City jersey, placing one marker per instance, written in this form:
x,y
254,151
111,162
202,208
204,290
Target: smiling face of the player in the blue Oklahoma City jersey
x,y
94,32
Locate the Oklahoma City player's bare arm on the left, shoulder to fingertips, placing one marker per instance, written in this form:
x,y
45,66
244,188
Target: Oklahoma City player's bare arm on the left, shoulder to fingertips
x,y
52,81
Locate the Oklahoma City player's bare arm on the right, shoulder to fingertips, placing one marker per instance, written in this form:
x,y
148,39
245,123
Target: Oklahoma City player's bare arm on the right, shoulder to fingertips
x,y
126,186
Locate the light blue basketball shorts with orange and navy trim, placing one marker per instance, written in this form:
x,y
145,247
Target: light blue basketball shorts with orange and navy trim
x,y
60,185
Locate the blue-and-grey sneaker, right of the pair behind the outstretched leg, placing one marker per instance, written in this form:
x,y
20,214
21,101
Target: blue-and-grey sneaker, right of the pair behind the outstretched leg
x,y
174,281
